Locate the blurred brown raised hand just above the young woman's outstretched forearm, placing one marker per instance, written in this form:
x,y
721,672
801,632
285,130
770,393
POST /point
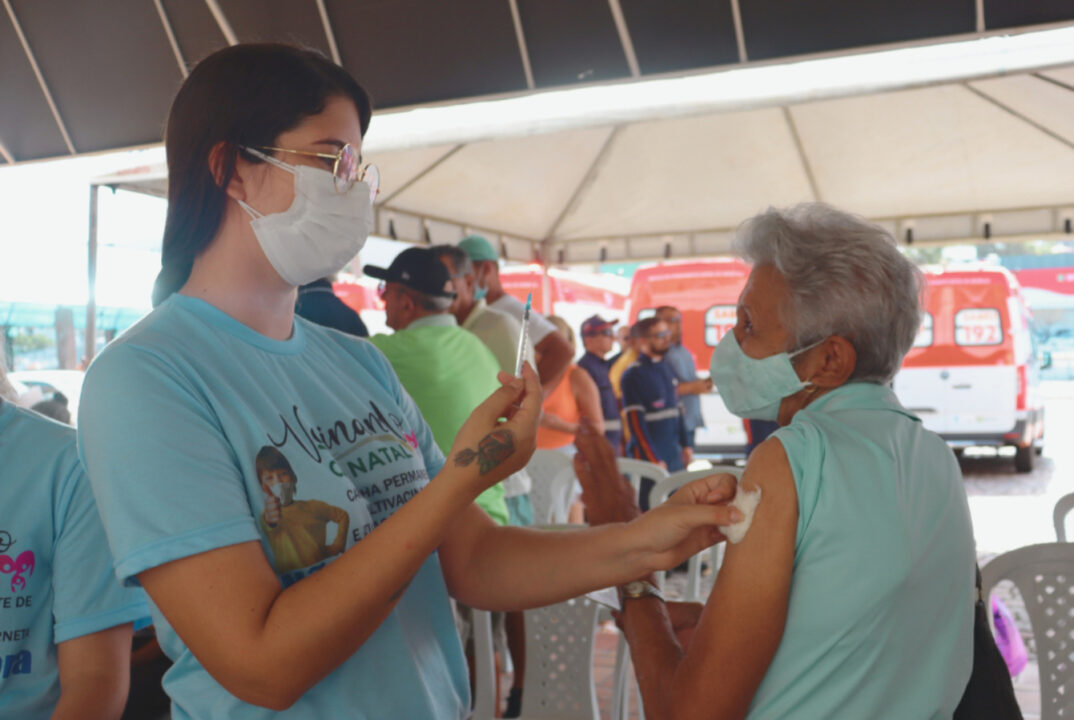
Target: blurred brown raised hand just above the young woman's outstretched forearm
x,y
606,494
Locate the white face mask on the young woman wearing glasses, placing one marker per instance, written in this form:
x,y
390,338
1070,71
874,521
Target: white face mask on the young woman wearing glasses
x,y
321,233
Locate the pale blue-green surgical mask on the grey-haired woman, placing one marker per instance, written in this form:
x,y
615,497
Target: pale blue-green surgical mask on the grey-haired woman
x,y
754,387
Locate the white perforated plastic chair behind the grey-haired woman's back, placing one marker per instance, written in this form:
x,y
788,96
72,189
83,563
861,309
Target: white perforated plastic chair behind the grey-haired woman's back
x,y
1044,575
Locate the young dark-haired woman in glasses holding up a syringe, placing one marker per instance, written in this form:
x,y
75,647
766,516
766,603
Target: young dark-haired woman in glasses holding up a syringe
x,y
256,596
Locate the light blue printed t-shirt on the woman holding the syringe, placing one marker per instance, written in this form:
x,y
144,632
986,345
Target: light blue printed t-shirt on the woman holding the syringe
x,y
192,421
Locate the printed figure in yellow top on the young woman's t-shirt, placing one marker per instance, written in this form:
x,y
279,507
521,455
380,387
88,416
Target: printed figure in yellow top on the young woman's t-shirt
x,y
297,529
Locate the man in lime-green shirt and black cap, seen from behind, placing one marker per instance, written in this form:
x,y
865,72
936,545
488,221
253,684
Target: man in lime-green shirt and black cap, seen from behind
x,y
447,370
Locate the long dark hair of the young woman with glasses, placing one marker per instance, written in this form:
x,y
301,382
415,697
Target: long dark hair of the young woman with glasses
x,y
245,95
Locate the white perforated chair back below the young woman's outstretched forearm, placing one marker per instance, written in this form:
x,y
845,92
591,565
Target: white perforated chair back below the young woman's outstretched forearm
x,y
560,643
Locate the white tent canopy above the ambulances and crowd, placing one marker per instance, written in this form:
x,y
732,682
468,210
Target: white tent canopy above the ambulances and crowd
x,y
957,142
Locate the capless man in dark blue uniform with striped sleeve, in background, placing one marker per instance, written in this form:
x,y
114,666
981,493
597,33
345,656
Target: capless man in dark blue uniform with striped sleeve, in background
x,y
651,404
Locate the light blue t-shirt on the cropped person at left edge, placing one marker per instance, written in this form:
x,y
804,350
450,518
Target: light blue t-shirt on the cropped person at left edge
x,y
56,581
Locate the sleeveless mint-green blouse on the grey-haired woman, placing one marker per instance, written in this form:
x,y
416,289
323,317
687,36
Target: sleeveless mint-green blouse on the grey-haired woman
x,y
880,623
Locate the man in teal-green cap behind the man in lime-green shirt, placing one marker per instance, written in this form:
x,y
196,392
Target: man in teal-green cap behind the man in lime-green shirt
x,y
554,352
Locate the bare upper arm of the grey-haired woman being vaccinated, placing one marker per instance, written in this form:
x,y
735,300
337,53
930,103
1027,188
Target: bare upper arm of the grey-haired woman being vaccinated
x,y
743,623
